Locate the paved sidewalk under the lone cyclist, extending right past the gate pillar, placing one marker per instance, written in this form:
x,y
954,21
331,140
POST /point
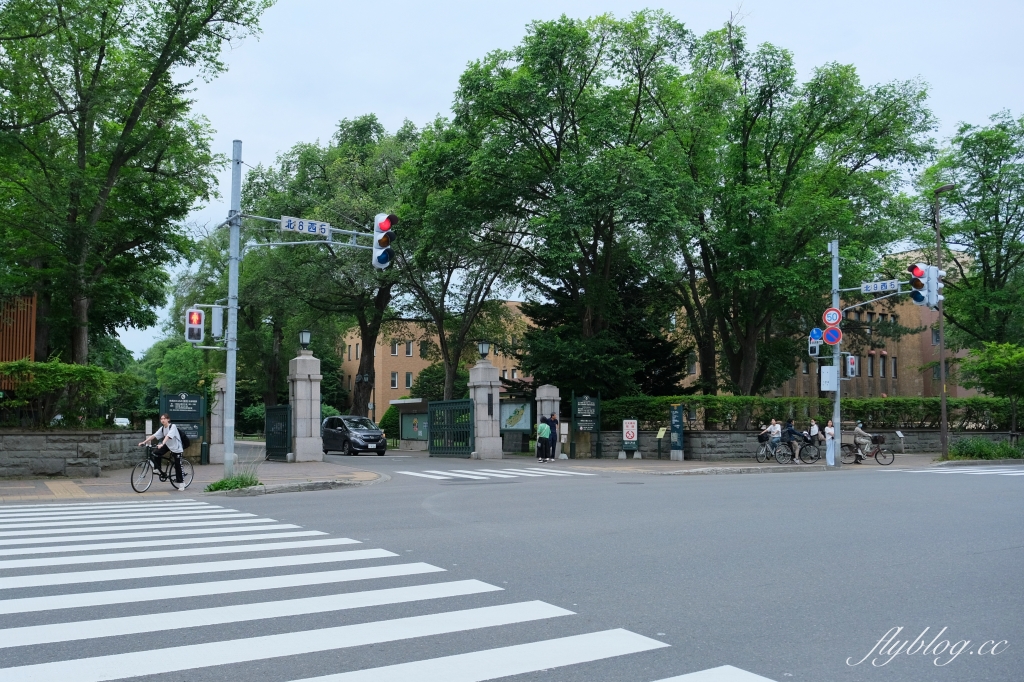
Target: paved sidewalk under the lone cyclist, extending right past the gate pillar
x,y
116,484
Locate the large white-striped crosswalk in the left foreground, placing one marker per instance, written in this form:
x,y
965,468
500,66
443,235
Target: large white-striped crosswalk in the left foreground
x,y
66,616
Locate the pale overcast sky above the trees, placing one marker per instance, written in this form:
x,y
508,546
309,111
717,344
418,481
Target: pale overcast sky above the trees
x,y
319,62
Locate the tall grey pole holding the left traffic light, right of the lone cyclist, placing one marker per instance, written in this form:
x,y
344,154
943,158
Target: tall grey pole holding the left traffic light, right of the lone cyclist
x,y
233,307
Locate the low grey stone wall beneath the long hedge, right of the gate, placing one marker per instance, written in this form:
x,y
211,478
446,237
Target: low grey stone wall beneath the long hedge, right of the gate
x,y
711,446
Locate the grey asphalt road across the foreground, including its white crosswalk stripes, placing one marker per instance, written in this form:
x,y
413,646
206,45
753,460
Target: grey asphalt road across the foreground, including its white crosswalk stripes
x,y
787,577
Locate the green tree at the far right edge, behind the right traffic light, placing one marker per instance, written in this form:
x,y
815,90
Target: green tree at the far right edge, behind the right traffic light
x,y
984,231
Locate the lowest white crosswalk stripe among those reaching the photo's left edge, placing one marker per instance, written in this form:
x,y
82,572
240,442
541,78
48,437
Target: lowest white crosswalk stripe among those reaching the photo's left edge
x,y
193,657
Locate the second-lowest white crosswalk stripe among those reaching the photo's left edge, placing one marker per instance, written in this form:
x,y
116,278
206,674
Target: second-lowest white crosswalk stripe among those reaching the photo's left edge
x,y
79,630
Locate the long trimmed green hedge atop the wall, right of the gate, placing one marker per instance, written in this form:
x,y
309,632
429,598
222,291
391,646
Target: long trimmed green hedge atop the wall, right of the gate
x,y
727,412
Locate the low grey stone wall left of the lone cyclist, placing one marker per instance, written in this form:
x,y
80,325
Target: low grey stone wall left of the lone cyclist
x,y
73,454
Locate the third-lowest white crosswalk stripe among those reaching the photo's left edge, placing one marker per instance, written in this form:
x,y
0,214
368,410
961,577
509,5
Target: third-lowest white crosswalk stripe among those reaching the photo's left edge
x,y
82,600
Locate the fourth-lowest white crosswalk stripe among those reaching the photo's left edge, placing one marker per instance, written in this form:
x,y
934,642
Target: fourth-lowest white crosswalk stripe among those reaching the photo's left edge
x,y
80,578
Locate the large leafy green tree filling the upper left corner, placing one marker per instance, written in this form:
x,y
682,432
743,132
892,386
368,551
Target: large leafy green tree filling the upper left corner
x,y
101,157
